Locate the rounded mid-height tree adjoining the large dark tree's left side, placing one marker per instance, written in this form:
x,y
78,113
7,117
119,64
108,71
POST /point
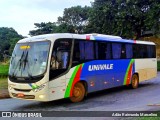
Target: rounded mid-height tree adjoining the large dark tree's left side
x,y
75,18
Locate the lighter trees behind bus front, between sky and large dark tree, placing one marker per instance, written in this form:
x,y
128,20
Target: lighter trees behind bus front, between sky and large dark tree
x,y
74,19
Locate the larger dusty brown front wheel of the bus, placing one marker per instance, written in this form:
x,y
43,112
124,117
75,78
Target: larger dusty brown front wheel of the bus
x,y
78,92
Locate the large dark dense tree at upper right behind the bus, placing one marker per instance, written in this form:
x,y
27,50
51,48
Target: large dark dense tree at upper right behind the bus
x,y
126,18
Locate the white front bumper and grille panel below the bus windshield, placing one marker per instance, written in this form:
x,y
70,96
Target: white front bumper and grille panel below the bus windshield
x,y
30,91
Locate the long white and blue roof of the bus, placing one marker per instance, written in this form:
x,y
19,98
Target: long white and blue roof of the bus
x,y
94,36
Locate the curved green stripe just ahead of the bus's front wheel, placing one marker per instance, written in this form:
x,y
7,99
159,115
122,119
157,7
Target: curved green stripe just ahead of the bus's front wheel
x,y
67,93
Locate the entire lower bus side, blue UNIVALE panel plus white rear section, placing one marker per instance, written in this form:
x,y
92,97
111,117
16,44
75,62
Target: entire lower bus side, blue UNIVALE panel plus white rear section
x,y
104,74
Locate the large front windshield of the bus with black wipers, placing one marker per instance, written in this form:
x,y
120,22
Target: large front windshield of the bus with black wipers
x,y
29,59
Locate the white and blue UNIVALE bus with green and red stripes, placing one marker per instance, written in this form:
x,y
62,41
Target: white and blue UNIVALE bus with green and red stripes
x,y
64,65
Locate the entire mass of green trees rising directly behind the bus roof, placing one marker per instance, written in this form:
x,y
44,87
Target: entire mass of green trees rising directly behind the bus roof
x,y
125,18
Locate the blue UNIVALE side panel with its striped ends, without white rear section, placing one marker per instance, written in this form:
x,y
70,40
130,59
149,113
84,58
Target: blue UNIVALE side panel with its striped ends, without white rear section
x,y
101,74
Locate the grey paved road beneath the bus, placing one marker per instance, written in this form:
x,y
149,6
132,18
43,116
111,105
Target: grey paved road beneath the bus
x,y
119,99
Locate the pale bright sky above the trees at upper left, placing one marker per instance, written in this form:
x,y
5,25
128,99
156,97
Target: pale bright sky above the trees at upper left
x,y
22,14
